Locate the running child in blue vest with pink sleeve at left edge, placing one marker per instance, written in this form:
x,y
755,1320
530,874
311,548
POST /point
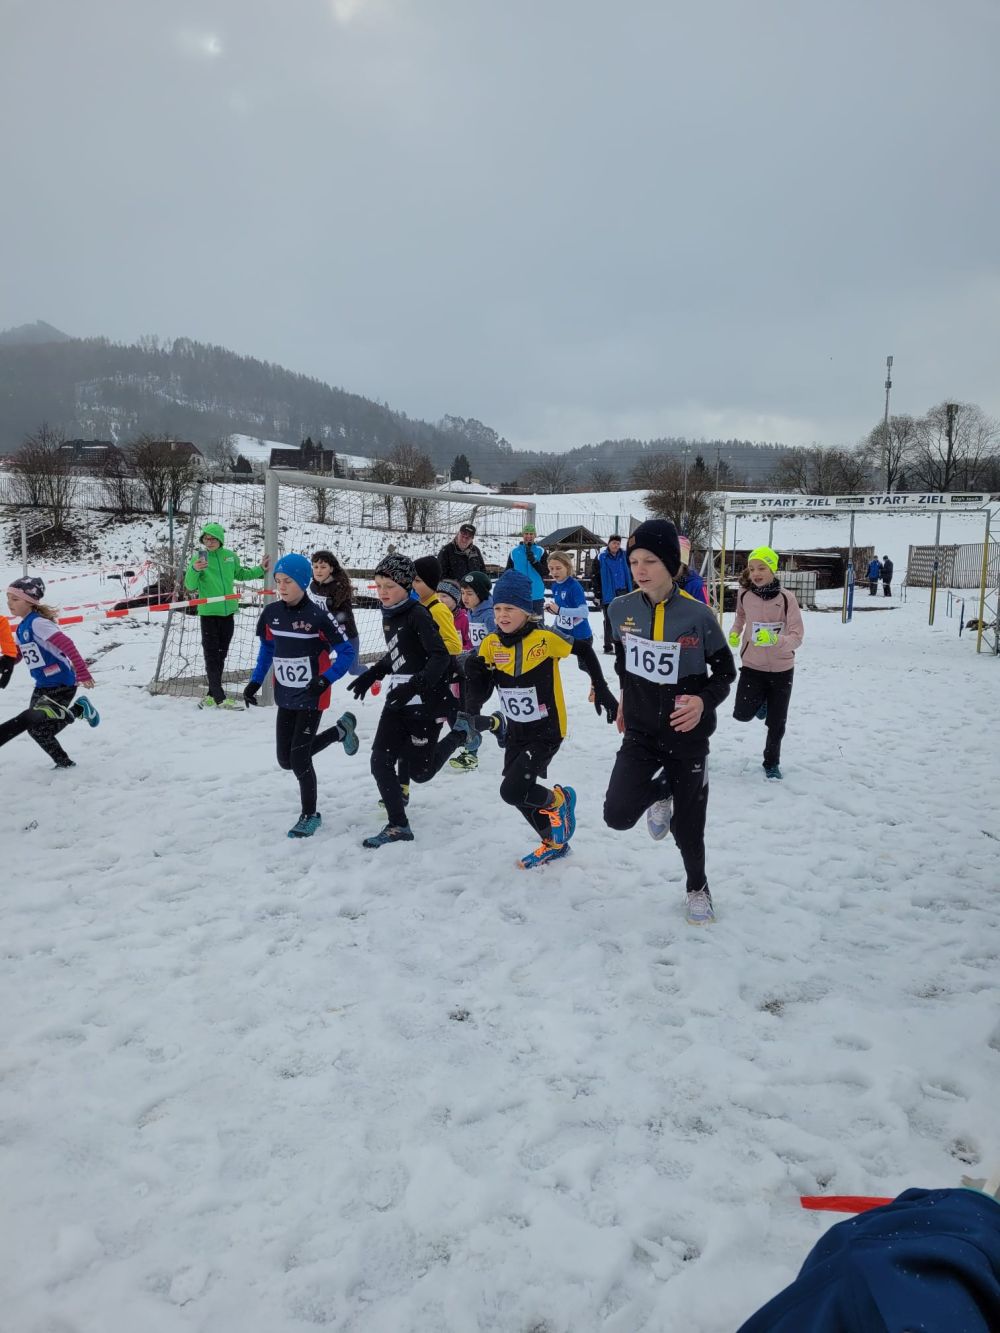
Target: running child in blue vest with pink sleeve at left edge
x,y
57,668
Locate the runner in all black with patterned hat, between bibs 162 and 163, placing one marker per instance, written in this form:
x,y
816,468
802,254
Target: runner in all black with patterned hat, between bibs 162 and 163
x,y
419,668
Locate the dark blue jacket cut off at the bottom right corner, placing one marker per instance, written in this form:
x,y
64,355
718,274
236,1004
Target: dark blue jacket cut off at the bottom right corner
x,y
927,1263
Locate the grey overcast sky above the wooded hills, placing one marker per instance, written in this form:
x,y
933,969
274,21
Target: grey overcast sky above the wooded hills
x,y
571,219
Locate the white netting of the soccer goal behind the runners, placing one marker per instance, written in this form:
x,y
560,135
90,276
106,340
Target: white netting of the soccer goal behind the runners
x,y
359,522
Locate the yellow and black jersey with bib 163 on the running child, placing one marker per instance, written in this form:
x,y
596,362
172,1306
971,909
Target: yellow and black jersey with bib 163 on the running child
x,y
529,687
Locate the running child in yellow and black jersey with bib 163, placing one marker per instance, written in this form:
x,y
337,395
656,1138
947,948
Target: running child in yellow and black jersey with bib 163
x,y
521,661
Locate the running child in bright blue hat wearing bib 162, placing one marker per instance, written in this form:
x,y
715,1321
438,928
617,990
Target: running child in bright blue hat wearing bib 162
x,y
307,651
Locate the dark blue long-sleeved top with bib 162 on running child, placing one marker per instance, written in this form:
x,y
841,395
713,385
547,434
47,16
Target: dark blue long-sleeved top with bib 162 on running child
x,y
301,643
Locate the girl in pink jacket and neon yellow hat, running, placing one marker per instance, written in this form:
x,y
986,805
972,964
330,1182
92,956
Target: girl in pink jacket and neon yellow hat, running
x,y
770,629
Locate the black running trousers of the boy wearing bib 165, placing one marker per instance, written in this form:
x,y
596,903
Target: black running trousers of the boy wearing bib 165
x,y
645,774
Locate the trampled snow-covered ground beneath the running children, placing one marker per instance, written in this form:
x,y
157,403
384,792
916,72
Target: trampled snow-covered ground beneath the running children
x,y
258,1087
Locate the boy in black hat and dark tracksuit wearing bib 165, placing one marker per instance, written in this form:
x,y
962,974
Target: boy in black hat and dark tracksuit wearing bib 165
x,y
675,670
